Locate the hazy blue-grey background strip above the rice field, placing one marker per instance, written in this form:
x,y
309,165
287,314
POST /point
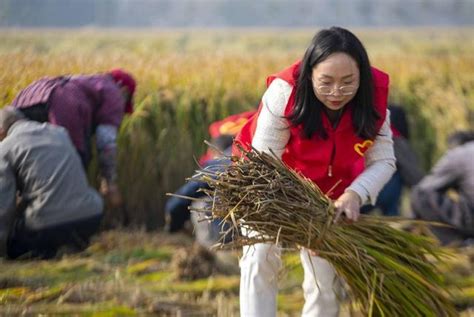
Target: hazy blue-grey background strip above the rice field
x,y
230,13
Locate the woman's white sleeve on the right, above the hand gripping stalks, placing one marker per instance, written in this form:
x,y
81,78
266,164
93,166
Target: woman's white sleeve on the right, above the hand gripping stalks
x,y
380,166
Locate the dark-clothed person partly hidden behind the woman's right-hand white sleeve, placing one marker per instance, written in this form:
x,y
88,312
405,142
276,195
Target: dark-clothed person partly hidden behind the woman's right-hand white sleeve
x,y
408,171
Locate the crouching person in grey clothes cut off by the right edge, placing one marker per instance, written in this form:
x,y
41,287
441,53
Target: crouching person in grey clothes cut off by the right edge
x,y
446,194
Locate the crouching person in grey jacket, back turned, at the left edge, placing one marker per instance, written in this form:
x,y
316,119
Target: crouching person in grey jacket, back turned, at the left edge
x,y
45,199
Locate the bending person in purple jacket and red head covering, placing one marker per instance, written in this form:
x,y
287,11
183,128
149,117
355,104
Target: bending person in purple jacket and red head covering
x,y
86,105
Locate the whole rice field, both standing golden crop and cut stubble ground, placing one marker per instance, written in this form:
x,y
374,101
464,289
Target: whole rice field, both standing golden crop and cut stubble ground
x,y
187,79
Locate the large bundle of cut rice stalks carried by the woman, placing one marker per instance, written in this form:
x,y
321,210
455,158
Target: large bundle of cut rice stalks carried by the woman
x,y
387,271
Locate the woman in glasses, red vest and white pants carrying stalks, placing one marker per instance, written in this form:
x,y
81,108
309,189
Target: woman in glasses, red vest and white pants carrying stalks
x,y
322,115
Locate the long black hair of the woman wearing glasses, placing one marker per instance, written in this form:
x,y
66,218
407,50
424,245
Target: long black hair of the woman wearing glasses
x,y
308,109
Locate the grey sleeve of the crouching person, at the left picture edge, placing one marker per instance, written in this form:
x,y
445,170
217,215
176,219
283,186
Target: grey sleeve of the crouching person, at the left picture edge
x,y
7,201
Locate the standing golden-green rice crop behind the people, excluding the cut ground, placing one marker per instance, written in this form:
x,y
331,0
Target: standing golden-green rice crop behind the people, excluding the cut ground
x,y
187,79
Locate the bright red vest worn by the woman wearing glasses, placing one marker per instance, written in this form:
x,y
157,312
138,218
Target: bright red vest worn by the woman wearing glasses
x,y
333,163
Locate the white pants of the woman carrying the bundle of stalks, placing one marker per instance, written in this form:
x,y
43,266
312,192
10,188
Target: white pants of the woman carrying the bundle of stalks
x,y
260,266
